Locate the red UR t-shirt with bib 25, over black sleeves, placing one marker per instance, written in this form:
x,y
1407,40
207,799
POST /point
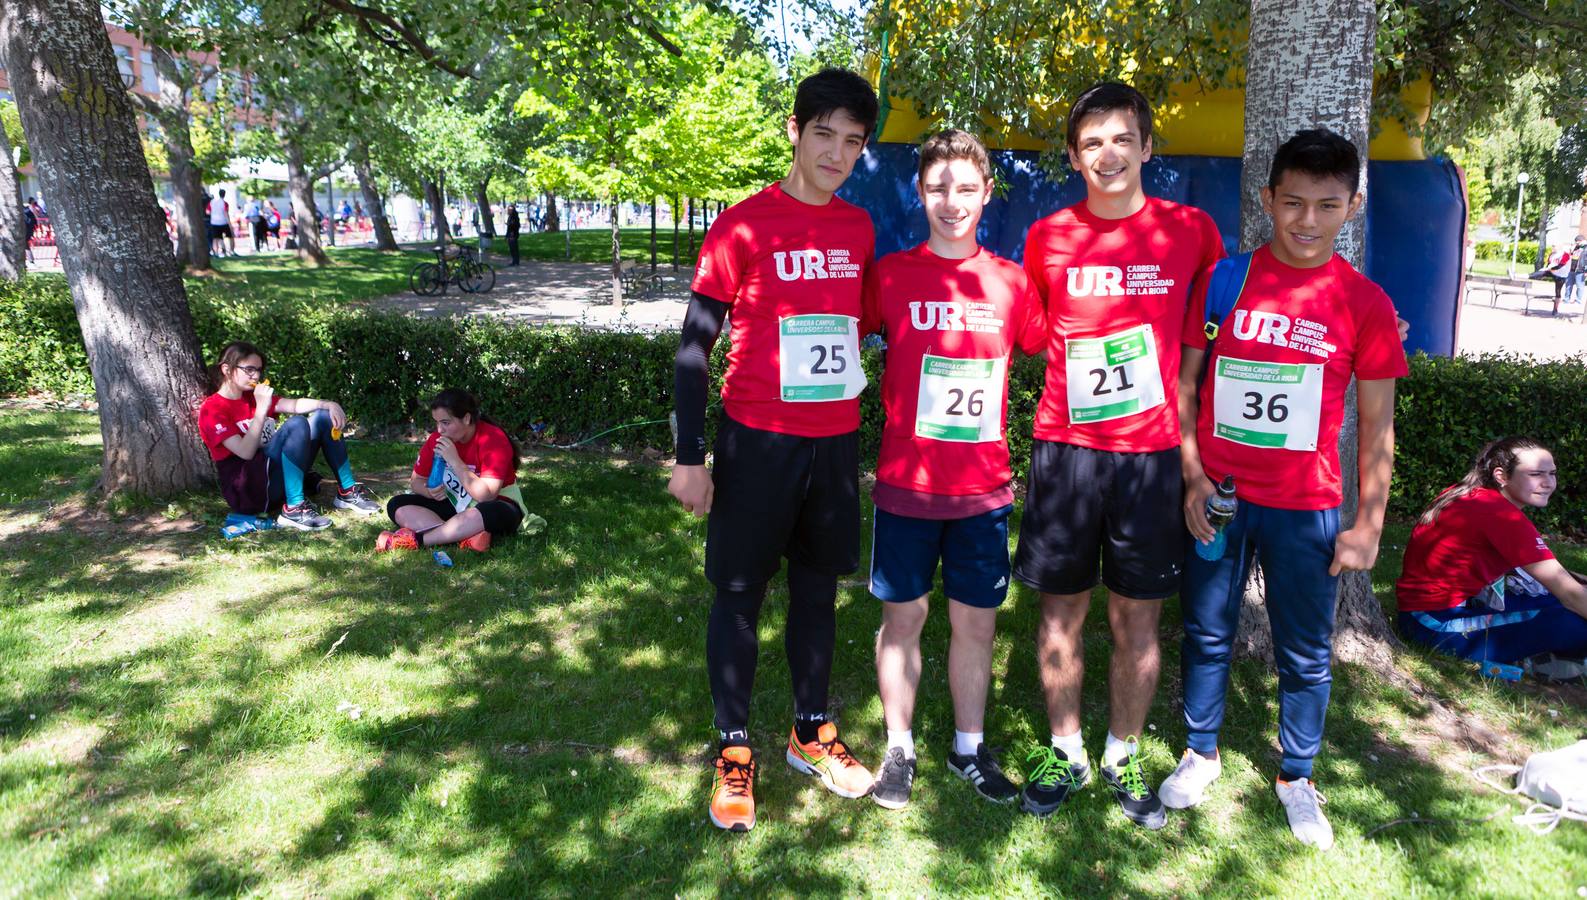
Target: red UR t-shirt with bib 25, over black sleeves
x,y
794,277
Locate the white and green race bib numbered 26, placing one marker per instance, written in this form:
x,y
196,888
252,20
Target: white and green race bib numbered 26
x,y
961,401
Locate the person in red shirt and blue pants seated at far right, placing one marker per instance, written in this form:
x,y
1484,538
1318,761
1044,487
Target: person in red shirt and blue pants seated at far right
x,y
1478,579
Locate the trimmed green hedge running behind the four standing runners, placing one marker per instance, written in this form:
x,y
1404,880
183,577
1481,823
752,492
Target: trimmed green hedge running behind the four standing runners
x,y
563,385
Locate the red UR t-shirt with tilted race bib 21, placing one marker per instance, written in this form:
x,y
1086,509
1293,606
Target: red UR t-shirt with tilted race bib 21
x,y
1115,293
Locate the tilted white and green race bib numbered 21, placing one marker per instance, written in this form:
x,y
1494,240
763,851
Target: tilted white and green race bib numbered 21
x,y
1113,377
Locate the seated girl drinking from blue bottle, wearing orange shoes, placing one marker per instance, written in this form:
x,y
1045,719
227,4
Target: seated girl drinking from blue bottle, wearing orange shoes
x,y
475,496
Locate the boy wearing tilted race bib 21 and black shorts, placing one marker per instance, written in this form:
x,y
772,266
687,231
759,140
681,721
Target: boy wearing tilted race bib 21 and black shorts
x,y
1115,274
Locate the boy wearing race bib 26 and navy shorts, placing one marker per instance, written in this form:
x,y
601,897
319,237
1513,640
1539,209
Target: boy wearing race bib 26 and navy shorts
x,y
953,313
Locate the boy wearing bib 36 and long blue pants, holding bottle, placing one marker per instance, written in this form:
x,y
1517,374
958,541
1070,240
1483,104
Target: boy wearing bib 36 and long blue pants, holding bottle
x,y
1269,412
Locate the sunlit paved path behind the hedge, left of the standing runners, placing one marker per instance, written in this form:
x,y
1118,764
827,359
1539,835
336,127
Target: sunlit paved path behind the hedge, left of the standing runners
x,y
559,294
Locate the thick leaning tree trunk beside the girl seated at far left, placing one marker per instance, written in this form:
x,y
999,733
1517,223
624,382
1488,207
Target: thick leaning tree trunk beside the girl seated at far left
x,y
128,291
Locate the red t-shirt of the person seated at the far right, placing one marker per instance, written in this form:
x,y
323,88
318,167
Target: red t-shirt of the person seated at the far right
x,y
1475,540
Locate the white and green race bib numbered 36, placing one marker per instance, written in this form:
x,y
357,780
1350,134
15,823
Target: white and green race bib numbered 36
x,y
1267,404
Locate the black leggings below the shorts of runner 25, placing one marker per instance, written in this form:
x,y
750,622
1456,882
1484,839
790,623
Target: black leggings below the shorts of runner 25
x,y
732,645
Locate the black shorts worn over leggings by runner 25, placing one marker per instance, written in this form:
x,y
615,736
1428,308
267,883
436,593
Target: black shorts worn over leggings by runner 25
x,y
782,496
